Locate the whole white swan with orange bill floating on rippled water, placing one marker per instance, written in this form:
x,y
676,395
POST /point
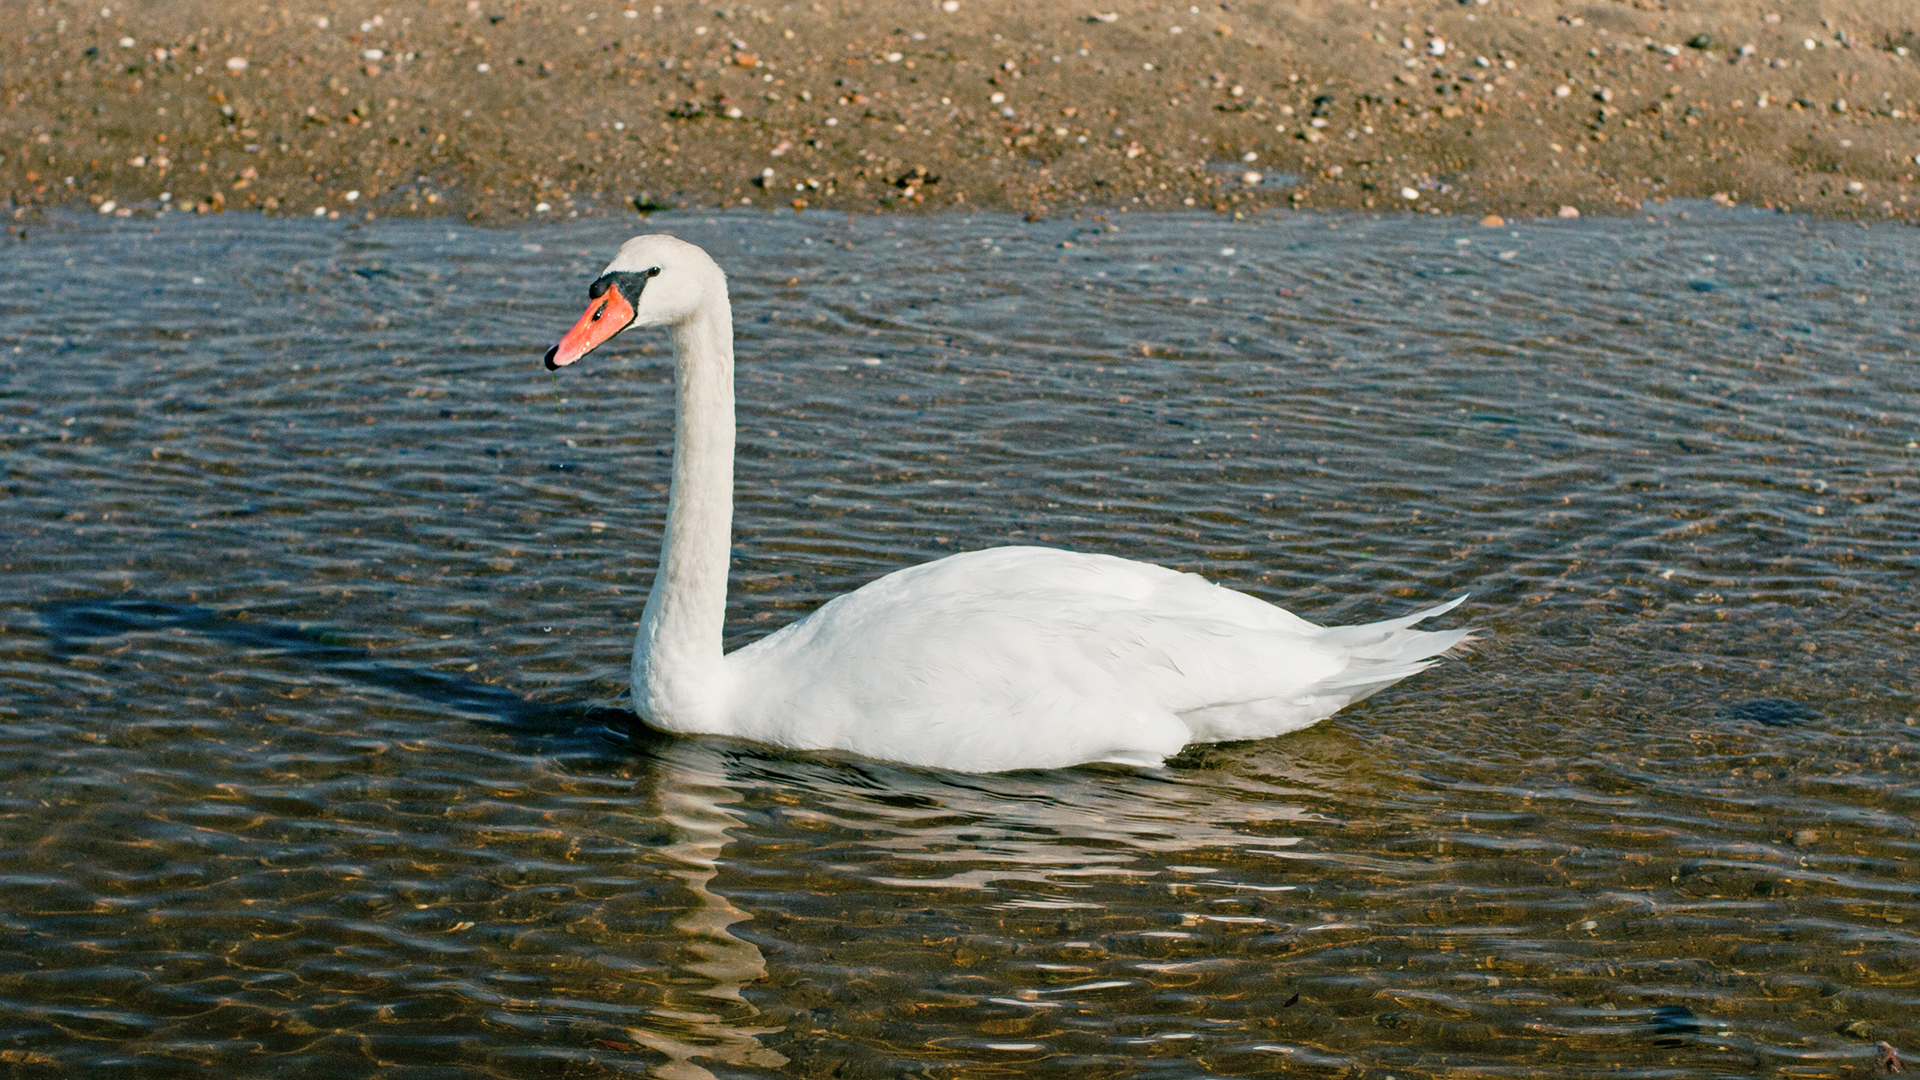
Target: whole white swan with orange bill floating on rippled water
x,y
1011,658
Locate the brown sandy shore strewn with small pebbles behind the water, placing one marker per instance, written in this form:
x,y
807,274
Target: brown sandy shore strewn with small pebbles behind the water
x,y
514,109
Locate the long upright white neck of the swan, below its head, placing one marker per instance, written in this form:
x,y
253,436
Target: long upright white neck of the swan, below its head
x,y
677,660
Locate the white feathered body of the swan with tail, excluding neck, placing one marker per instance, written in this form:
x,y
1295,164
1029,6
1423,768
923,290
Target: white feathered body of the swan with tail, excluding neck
x,y
1032,658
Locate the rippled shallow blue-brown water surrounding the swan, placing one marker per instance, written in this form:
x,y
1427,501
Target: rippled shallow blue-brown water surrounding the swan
x,y
318,593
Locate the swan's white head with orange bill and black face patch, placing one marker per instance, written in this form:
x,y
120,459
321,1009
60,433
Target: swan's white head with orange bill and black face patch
x,y
656,282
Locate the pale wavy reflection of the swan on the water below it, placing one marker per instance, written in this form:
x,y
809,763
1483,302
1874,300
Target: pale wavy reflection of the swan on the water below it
x,y
823,833
